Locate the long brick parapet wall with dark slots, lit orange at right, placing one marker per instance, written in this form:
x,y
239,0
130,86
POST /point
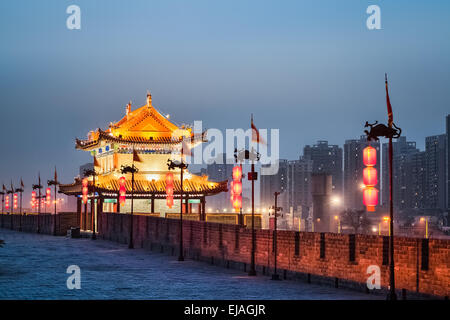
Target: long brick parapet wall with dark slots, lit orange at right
x,y
421,265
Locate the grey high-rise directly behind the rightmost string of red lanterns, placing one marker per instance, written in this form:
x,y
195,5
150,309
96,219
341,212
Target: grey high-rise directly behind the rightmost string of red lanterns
x,y
353,170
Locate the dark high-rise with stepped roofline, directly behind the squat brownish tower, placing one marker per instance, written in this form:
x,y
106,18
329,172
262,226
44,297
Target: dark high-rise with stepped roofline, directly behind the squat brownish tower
x,y
327,159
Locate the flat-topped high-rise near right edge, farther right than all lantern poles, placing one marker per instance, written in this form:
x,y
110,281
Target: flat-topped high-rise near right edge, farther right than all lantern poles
x,y
435,153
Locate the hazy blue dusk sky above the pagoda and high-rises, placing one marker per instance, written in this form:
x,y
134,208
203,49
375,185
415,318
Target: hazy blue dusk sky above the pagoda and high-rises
x,y
310,68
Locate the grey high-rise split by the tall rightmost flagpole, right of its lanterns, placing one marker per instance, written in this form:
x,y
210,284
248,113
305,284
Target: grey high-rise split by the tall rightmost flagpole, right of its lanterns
x,y
402,152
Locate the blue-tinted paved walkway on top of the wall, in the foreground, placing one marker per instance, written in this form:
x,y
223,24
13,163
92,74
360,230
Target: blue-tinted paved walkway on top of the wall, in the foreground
x,y
33,266
